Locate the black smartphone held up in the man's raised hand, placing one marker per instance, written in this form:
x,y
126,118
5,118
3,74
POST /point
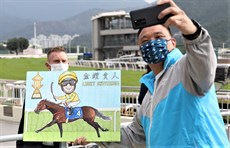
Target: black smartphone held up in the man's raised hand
x,y
148,16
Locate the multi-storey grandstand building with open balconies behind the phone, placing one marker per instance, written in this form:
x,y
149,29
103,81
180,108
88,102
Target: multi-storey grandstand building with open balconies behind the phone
x,y
113,35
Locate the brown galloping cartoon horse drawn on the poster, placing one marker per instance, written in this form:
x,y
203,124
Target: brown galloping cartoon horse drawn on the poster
x,y
88,114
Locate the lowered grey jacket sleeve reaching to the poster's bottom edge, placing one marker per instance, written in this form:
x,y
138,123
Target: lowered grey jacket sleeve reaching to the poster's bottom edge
x,y
132,135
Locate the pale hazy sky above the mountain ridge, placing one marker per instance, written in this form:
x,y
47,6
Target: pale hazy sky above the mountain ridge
x,y
60,9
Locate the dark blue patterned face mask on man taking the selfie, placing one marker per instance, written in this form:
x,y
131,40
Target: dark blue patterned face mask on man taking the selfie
x,y
154,51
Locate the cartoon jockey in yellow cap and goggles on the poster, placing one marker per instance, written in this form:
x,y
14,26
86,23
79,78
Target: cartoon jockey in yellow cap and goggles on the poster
x,y
68,81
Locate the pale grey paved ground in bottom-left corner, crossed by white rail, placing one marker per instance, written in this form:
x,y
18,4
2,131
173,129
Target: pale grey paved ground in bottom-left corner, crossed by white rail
x,y
8,128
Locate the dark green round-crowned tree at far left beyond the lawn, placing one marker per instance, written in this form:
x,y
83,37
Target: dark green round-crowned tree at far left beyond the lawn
x,y
17,44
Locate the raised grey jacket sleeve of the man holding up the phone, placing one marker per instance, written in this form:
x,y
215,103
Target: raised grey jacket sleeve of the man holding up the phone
x,y
200,63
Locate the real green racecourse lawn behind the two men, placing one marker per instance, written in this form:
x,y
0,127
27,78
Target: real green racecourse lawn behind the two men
x,y
16,69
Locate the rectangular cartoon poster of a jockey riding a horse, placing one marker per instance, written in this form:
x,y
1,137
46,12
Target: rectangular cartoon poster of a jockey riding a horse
x,y
61,106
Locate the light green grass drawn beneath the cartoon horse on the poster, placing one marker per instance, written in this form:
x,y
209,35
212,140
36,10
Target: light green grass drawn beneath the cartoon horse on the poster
x,y
74,129
